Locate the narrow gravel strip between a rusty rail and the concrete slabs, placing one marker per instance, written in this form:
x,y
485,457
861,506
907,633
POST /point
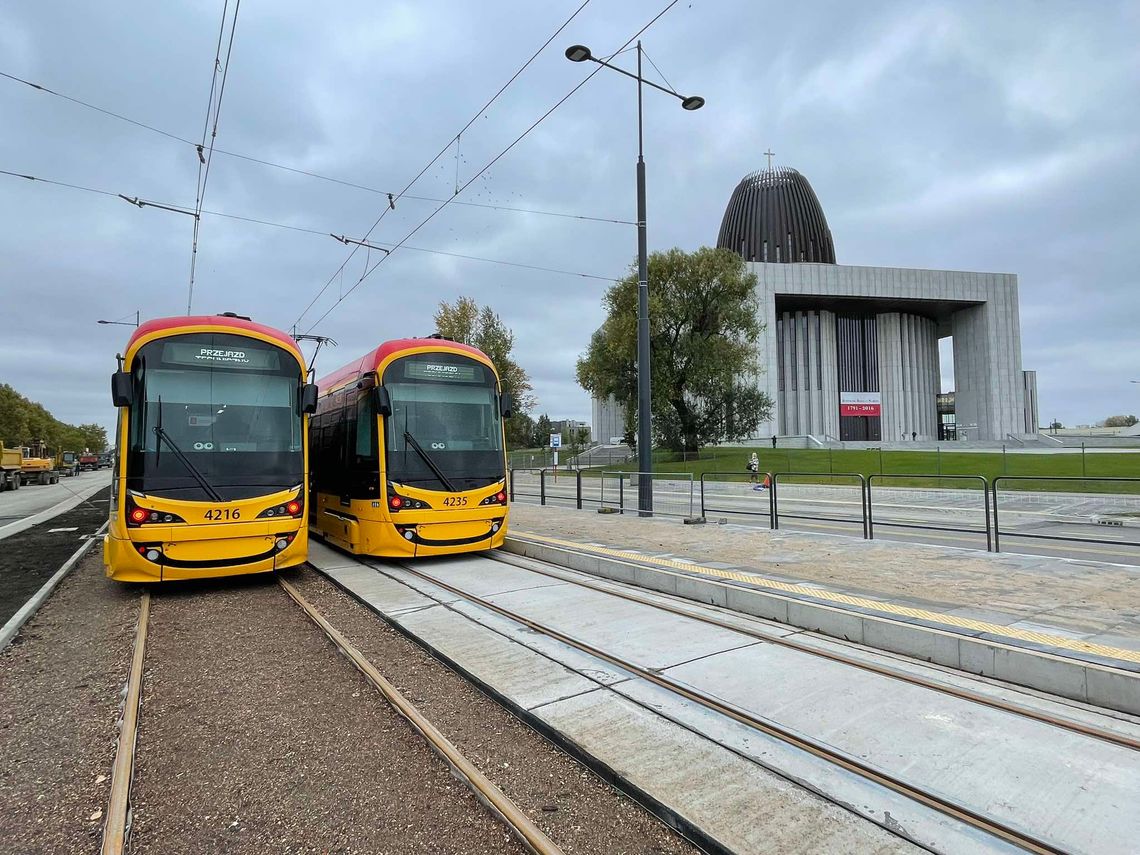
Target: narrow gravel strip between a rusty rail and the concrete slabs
x,y
576,809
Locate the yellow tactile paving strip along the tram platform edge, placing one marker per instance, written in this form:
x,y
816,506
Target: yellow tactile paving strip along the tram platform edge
x,y
832,597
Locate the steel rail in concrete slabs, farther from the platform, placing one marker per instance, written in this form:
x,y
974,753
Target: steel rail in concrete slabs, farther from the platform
x,y
884,779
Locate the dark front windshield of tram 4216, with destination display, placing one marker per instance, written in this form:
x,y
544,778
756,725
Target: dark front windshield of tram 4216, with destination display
x,y
216,417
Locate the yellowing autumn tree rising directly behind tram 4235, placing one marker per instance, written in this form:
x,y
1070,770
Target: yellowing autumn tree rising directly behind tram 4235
x,y
481,328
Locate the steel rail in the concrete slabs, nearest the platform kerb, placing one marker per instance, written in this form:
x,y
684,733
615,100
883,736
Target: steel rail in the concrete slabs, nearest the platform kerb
x,y
966,695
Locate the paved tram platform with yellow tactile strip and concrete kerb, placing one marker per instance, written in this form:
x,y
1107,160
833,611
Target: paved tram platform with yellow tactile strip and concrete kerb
x,y
1071,629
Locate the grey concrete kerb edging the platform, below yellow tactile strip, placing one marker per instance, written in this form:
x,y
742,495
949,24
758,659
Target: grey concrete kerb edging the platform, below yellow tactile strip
x,y
1069,678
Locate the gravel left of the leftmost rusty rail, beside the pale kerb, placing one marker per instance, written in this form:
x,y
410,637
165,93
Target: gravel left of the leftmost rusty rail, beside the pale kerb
x,y
61,685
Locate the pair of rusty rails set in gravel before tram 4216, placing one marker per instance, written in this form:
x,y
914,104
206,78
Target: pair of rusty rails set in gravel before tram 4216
x,y
116,838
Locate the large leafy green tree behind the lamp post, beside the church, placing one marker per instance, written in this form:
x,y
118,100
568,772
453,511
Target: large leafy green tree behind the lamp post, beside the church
x,y
704,349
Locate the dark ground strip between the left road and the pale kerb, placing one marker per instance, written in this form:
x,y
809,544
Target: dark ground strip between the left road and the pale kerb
x,y
30,558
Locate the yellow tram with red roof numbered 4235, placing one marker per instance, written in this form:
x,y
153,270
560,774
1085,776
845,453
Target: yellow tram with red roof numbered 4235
x,y
409,455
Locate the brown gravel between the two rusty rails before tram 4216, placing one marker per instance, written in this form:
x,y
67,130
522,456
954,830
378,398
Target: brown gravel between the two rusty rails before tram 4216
x,y
258,737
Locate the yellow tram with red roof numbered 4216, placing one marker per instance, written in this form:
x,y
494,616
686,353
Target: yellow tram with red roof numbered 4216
x,y
211,473
